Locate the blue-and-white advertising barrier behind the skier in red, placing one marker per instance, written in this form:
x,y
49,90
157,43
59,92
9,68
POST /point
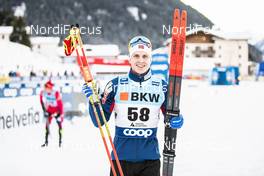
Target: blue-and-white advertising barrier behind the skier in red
x,y
74,101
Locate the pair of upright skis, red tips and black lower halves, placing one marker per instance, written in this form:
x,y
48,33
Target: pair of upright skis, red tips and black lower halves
x,y
174,88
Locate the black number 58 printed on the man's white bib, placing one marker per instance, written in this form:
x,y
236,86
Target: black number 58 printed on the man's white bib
x,y
134,113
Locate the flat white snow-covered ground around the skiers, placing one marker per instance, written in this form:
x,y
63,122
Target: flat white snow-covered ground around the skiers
x,y
223,135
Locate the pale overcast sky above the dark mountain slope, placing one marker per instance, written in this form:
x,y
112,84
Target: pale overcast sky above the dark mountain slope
x,y
233,15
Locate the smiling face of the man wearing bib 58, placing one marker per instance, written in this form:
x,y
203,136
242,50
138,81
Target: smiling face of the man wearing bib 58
x,y
140,62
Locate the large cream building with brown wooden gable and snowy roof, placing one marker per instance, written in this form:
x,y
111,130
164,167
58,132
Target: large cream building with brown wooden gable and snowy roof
x,y
217,48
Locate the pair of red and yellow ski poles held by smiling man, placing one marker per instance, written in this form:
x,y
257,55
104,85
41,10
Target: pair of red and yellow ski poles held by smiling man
x,y
77,45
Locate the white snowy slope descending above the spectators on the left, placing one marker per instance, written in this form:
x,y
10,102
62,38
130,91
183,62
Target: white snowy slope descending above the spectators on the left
x,y
13,54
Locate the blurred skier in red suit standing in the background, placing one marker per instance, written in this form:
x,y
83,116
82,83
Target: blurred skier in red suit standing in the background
x,y
52,106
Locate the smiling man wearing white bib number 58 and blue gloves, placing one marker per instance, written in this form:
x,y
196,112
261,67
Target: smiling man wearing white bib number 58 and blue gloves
x,y
136,99
